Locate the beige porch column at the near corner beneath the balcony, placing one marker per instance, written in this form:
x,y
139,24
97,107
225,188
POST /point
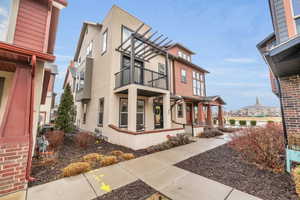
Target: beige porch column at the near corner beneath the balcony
x,y
132,104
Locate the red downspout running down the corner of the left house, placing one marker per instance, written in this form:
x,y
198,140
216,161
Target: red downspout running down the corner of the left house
x,y
29,158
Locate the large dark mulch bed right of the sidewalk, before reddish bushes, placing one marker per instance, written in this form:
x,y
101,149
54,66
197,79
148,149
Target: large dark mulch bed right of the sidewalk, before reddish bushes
x,y
224,165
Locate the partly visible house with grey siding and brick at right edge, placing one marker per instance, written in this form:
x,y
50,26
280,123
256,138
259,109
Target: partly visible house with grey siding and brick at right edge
x,y
281,52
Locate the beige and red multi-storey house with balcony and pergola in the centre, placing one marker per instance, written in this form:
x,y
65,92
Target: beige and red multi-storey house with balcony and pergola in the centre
x,y
128,83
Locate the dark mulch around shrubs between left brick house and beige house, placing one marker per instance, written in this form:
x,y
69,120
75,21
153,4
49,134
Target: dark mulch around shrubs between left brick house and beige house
x,y
70,152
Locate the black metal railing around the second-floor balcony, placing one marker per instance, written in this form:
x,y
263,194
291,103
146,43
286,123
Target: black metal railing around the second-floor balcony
x,y
141,76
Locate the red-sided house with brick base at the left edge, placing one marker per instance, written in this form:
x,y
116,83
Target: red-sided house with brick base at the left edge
x,y
27,39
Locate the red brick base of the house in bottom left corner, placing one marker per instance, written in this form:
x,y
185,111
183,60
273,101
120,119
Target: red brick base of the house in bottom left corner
x,y
13,162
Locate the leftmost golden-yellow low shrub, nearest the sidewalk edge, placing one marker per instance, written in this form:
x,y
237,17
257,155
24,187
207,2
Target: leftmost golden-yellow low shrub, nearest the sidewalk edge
x,y
76,168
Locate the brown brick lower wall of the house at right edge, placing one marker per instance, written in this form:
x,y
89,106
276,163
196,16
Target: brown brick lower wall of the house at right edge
x,y
291,102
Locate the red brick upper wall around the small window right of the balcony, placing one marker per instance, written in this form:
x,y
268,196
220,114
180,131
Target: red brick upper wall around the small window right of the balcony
x,y
183,89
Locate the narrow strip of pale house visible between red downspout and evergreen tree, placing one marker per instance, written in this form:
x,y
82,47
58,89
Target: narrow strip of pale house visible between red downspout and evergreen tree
x,y
48,100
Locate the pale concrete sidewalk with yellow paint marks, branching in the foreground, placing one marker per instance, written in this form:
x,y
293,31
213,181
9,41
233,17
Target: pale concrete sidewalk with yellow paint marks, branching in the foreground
x,y
156,170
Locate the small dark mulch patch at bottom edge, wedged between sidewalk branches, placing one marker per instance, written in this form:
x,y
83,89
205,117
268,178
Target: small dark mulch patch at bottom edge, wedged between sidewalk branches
x,y
137,190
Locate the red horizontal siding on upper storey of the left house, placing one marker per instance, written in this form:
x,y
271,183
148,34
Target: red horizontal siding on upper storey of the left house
x,y
31,25
